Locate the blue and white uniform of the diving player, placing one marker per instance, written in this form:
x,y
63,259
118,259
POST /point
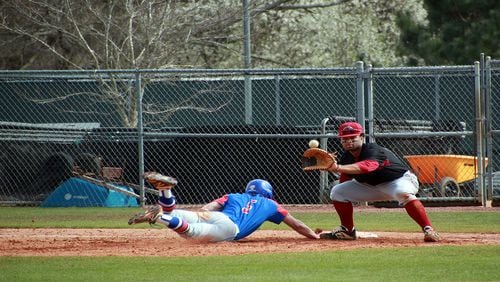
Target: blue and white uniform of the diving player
x,y
239,216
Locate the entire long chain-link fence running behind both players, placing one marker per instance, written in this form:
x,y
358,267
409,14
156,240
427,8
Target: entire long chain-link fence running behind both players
x,y
215,130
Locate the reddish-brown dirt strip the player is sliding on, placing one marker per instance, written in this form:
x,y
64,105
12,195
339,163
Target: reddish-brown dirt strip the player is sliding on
x,y
163,242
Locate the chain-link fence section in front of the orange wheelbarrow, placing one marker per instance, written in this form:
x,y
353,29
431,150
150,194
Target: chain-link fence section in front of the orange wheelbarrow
x,y
441,102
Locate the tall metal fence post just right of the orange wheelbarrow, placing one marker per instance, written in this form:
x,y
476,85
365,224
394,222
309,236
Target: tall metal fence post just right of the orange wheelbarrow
x,y
479,136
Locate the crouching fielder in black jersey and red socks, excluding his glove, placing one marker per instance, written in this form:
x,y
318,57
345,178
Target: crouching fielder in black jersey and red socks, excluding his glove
x,y
370,172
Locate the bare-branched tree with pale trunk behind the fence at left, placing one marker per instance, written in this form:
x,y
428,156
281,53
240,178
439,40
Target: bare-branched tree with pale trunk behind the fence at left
x,y
120,34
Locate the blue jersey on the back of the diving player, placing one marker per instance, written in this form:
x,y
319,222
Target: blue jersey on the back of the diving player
x,y
250,212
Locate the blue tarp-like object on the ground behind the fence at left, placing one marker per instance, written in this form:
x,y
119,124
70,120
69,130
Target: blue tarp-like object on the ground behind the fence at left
x,y
76,192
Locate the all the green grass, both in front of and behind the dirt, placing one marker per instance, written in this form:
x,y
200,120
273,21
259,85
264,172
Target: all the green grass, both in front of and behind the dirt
x,y
428,263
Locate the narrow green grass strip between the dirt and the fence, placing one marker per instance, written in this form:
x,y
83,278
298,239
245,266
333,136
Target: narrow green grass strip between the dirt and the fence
x,y
30,217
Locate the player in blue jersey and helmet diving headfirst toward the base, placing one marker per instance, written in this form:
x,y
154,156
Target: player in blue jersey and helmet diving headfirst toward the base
x,y
230,217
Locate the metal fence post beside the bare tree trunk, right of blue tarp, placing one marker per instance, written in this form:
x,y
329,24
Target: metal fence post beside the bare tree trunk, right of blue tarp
x,y
140,135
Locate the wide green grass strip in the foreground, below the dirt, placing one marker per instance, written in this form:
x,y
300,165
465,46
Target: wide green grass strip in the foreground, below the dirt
x,y
469,263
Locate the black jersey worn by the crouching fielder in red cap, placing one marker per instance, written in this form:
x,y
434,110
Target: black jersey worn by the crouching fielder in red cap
x,y
390,166
